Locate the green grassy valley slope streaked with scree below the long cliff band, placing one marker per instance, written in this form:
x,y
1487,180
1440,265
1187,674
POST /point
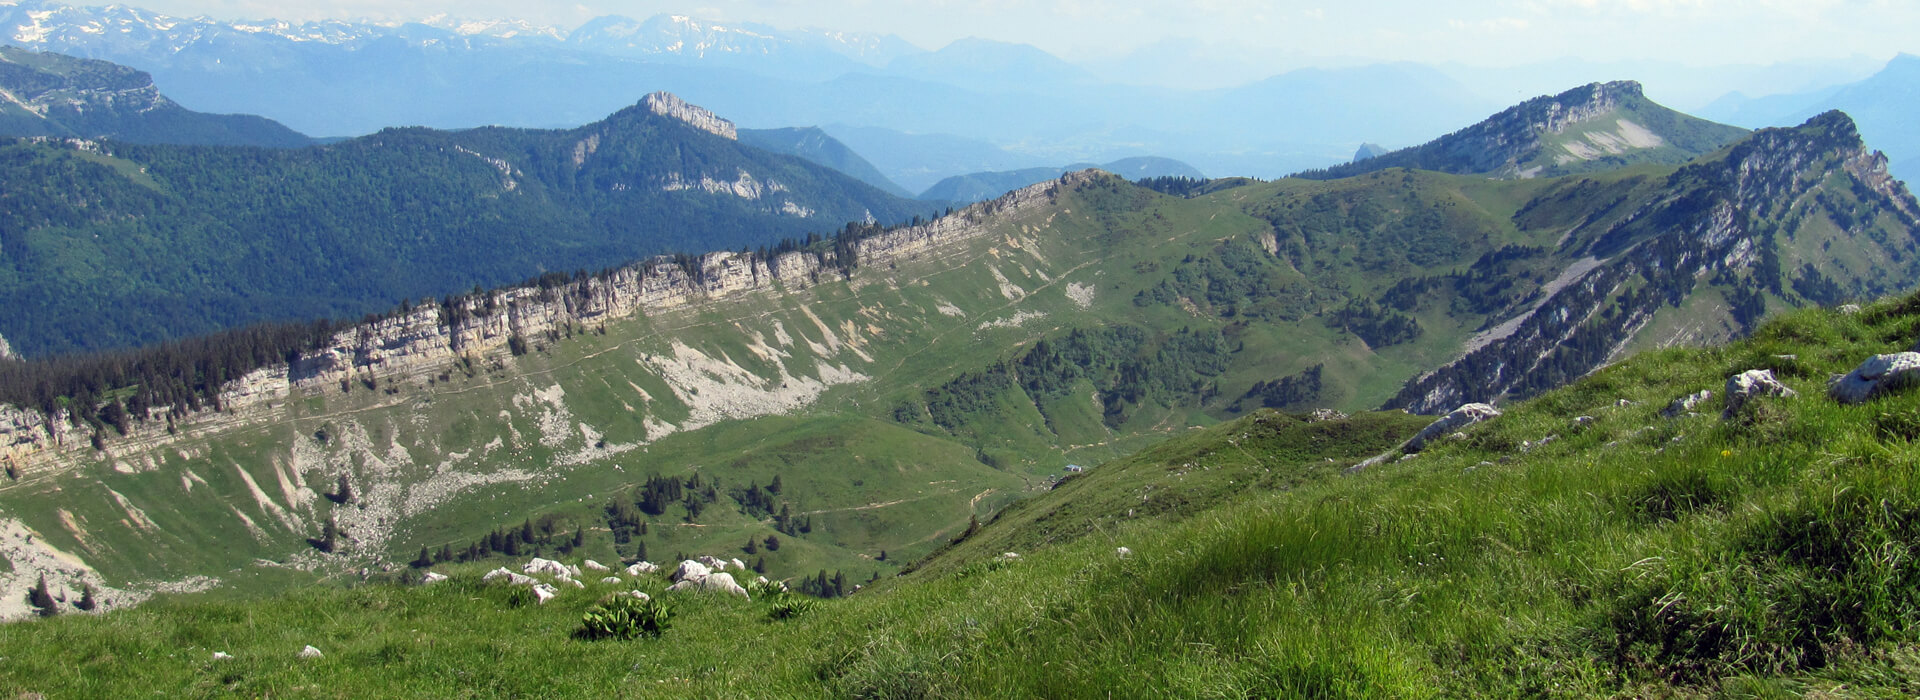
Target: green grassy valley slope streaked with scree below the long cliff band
x,y
949,315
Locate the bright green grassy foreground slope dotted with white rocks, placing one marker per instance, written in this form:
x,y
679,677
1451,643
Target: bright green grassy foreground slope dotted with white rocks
x,y
1767,555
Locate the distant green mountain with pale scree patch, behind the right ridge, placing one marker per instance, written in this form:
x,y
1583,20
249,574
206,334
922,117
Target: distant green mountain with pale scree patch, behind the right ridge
x,y
1587,129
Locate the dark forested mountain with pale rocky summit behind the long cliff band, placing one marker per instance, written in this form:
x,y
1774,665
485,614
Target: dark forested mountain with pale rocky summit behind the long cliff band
x,y
362,225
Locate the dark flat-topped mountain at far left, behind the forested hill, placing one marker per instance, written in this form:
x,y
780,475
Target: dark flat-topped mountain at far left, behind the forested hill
x,y
51,95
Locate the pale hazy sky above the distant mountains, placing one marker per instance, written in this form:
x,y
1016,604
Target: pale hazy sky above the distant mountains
x,y
1481,32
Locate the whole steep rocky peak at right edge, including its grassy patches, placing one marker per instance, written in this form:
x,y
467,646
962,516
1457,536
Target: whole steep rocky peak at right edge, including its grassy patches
x,y
1758,225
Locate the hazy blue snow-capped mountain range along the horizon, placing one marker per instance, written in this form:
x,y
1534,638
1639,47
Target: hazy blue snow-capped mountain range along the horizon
x,y
335,80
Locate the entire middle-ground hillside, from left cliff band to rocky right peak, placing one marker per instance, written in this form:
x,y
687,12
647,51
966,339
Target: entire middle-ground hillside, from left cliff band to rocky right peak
x,y
905,381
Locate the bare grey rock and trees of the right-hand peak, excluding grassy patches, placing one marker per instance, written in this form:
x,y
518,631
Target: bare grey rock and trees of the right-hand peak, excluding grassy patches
x,y
1717,218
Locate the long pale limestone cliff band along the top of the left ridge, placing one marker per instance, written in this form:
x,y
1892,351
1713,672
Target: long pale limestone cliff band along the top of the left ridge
x,y
423,340
